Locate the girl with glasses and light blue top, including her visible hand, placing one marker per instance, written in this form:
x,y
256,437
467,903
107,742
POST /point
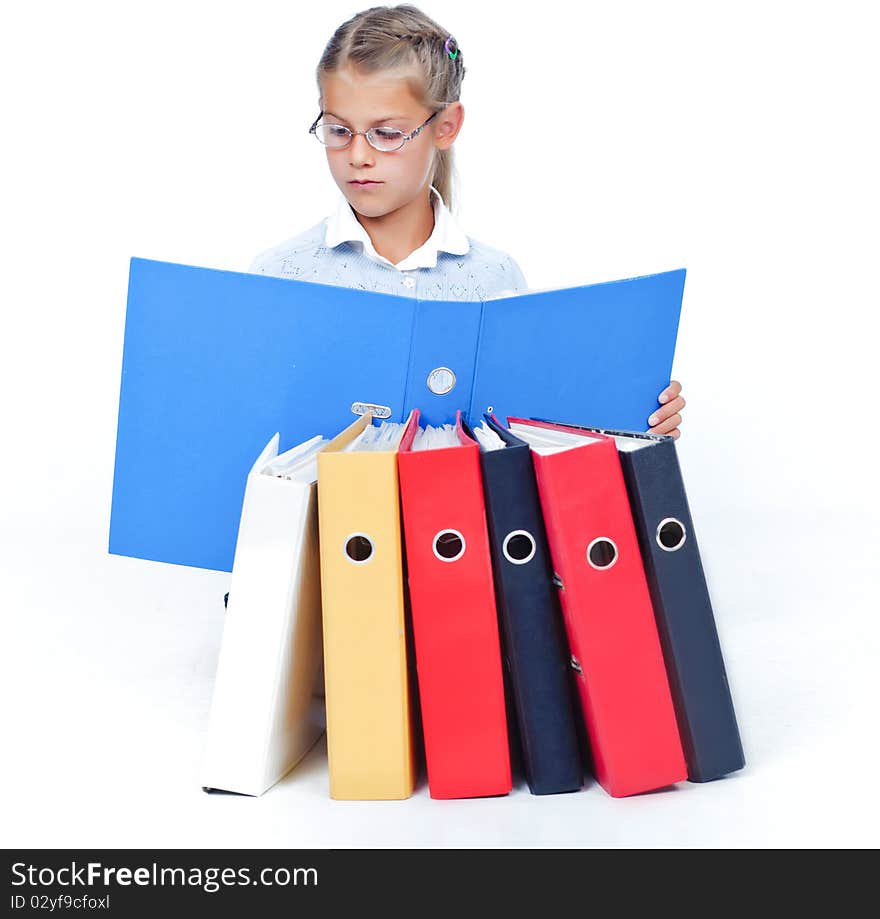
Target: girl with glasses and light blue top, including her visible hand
x,y
389,83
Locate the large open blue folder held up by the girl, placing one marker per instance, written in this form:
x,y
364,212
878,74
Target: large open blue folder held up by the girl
x,y
214,362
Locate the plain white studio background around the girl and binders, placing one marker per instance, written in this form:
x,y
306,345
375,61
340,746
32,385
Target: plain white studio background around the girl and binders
x,y
600,141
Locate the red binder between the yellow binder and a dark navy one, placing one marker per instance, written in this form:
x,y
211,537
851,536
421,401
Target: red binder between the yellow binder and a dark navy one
x,y
454,619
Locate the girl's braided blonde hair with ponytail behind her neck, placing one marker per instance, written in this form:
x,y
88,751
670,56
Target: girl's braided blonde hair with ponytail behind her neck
x,y
392,37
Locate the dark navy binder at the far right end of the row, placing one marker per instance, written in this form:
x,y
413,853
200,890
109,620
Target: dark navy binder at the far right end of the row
x,y
685,621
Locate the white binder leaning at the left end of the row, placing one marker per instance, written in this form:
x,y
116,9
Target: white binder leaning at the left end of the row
x,y
267,709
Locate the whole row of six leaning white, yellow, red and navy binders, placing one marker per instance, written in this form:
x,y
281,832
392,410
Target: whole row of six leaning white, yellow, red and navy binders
x,y
486,588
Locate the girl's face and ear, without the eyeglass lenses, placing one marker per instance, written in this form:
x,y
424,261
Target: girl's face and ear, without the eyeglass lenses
x,y
361,101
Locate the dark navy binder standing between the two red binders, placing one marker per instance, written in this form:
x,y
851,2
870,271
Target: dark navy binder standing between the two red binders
x,y
533,638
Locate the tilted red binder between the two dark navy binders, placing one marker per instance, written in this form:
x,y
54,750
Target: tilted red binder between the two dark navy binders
x,y
606,605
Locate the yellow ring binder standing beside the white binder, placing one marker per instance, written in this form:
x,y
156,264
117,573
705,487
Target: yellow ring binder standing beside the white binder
x,y
369,728
